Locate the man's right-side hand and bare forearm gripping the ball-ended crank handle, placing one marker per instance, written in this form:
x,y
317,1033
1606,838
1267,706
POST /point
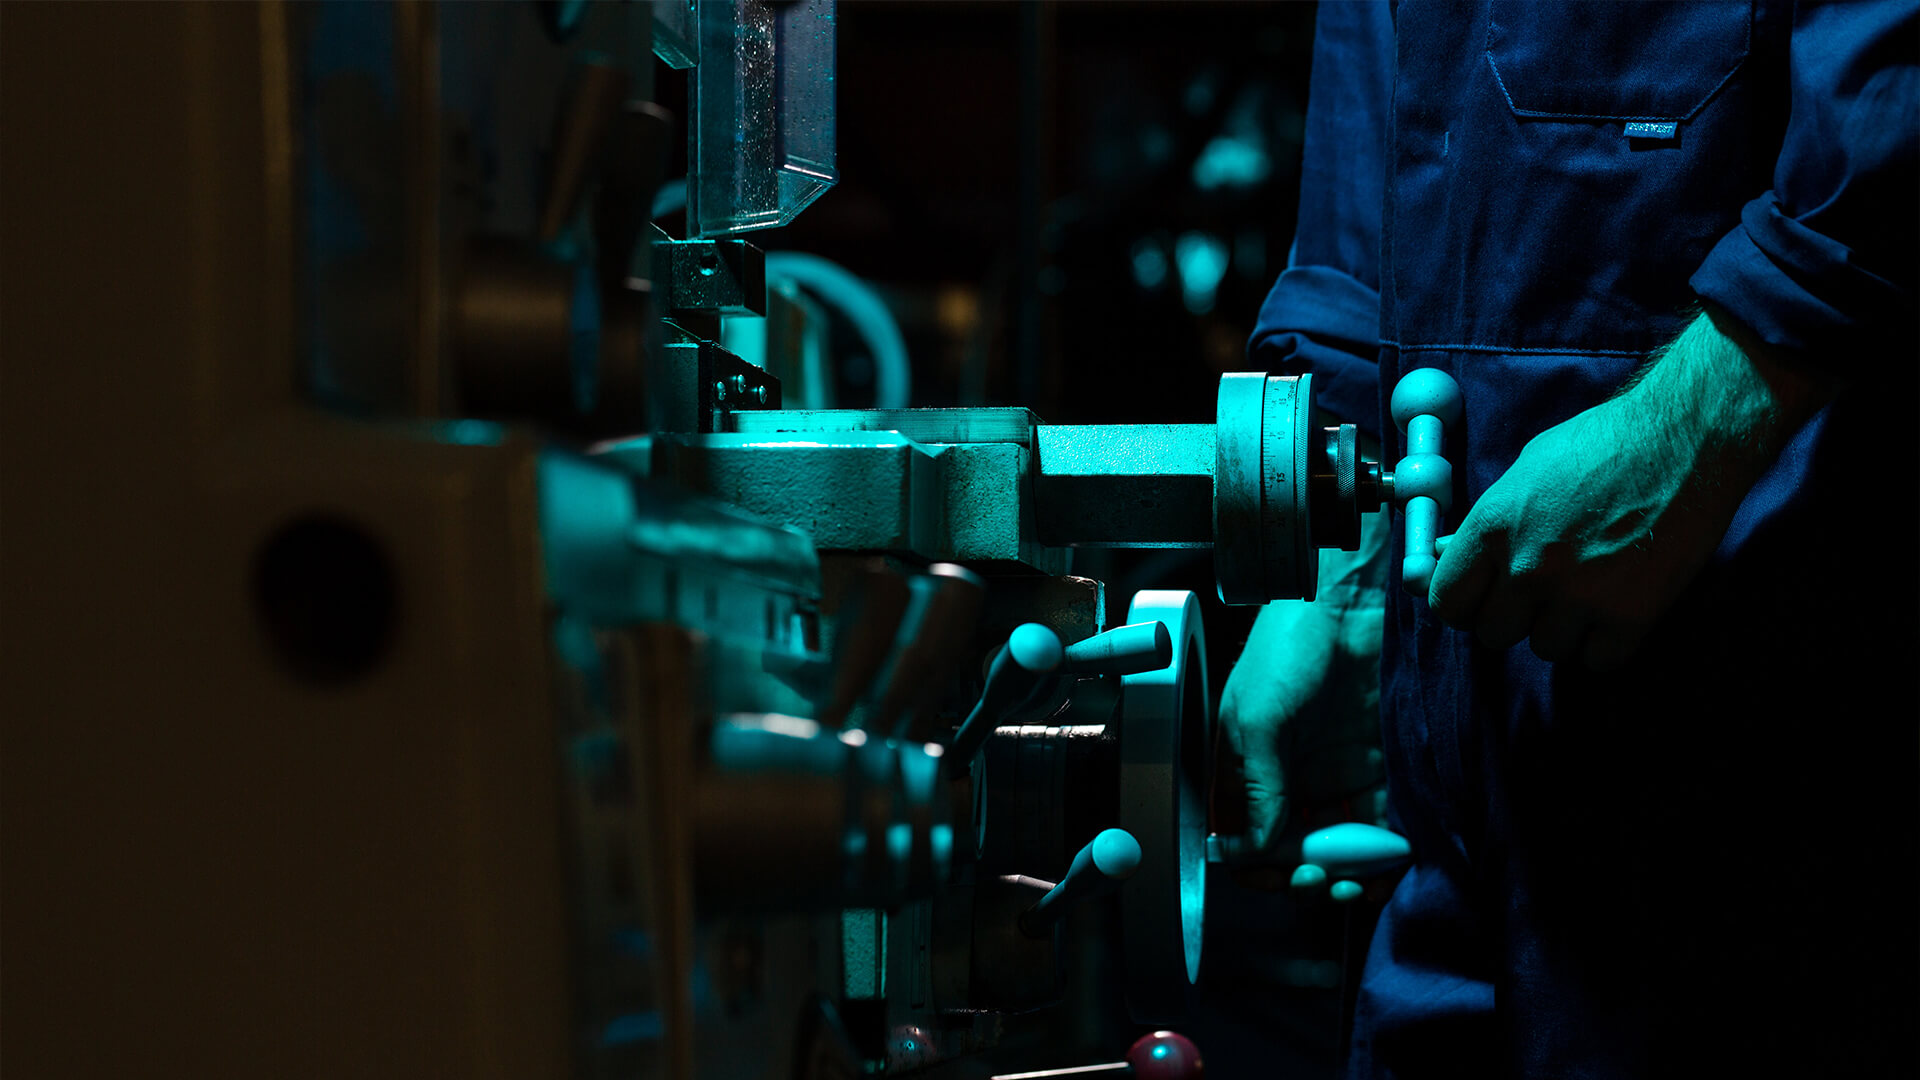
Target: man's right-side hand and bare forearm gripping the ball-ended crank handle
x,y
1604,520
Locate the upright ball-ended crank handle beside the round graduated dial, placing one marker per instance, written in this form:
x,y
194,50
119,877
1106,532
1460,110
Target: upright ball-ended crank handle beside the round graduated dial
x,y
1426,406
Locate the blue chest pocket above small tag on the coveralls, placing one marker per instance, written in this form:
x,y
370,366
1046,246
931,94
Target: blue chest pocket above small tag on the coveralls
x,y
1650,61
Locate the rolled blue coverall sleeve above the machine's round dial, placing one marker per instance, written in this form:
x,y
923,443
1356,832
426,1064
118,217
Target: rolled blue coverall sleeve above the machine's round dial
x,y
1324,314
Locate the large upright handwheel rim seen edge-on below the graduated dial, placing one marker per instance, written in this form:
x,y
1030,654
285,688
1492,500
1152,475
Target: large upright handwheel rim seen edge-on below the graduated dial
x,y
1166,725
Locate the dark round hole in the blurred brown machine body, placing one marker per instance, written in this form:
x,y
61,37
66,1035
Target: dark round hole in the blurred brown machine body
x,y
327,597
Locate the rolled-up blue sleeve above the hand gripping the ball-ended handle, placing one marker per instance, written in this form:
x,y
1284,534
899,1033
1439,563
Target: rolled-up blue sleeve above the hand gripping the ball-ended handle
x,y
1825,264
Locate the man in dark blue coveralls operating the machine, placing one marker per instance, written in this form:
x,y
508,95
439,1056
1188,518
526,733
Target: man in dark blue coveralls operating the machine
x,y
1652,727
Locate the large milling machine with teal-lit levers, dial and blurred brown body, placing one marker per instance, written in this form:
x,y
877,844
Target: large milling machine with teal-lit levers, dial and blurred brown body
x,y
542,697
